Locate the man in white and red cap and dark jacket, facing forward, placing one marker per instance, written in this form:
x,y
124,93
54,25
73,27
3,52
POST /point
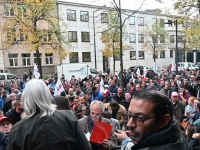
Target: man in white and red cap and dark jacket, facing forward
x,y
178,107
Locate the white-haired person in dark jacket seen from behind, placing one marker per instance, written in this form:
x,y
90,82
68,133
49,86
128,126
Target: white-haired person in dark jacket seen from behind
x,y
44,127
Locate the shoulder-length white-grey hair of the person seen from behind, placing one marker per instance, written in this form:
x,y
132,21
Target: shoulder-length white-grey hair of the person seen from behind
x,y
37,98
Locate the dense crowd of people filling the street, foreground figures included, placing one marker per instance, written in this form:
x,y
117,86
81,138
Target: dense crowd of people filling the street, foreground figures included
x,y
151,111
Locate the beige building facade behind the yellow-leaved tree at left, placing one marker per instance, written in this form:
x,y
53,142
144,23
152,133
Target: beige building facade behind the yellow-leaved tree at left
x,y
17,58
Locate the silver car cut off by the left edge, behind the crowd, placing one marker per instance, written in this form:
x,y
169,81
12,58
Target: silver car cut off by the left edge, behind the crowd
x,y
7,77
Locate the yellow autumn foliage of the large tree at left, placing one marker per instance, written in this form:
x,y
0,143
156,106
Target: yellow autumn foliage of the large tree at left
x,y
32,33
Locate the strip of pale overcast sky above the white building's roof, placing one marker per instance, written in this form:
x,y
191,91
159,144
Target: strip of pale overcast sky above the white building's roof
x,y
129,4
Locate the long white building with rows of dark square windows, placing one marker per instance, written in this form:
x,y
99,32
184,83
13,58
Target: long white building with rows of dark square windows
x,y
79,18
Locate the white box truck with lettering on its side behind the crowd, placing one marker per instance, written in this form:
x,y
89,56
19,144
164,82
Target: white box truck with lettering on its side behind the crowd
x,y
78,70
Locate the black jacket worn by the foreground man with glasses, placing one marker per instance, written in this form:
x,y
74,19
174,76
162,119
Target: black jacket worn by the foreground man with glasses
x,y
169,138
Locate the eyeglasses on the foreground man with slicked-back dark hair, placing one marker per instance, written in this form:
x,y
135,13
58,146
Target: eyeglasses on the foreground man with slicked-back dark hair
x,y
137,119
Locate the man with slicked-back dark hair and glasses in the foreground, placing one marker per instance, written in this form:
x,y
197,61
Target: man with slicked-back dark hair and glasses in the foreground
x,y
151,124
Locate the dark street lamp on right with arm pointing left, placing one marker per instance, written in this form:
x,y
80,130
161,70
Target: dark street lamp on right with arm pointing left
x,y
176,50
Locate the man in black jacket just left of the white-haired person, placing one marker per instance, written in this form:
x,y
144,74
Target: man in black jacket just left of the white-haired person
x,y
15,115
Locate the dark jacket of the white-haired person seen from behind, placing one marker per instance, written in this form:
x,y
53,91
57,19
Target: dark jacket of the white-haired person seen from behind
x,y
59,131
